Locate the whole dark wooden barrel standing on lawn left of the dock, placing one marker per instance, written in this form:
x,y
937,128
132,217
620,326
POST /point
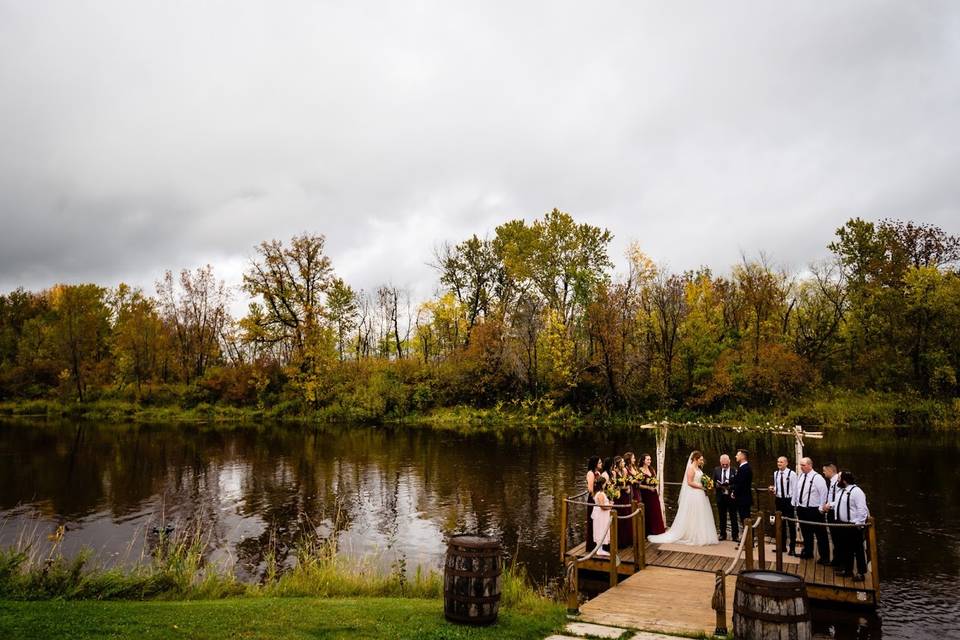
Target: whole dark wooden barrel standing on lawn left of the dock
x,y
471,579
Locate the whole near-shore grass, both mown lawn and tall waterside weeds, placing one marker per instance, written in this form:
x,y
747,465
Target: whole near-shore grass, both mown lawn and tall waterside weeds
x,y
173,593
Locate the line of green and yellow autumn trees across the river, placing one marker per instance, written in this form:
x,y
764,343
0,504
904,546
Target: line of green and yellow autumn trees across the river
x,y
533,311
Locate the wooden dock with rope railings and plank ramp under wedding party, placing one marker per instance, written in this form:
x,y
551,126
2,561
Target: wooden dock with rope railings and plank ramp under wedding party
x,y
673,588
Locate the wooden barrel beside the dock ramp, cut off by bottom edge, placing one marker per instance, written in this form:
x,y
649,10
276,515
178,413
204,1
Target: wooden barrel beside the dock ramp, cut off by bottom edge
x,y
771,604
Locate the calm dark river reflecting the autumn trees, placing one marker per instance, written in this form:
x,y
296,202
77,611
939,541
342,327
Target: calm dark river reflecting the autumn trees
x,y
397,492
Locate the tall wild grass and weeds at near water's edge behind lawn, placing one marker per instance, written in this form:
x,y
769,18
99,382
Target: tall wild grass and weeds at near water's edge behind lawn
x,y
175,569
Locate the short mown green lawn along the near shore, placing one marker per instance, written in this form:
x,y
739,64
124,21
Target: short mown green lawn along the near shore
x,y
353,618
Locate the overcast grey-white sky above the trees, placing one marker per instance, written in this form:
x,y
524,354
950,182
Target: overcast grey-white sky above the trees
x,y
141,136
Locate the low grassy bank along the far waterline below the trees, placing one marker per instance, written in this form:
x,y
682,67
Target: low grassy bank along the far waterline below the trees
x,y
835,409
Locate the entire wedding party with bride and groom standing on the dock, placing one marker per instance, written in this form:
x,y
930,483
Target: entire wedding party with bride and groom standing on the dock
x,y
809,499
